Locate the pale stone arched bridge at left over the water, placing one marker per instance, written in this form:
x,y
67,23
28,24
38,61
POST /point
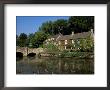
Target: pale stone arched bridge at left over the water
x,y
26,50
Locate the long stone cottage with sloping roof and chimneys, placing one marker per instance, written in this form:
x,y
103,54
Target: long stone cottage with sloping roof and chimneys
x,y
65,41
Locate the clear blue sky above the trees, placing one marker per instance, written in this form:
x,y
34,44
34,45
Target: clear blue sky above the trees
x,y
31,24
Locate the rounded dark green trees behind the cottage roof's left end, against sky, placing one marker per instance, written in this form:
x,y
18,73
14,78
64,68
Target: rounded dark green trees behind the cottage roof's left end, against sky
x,y
53,28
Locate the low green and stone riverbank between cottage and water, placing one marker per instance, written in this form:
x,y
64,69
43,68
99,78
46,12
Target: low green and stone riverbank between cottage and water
x,y
66,54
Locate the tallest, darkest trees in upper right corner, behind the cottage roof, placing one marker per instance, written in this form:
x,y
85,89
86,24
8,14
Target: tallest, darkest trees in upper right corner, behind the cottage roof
x,y
81,23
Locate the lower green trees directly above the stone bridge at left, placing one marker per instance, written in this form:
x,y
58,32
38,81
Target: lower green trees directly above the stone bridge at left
x,y
32,40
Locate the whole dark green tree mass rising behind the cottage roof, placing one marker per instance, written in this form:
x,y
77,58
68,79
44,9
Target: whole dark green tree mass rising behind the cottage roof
x,y
74,23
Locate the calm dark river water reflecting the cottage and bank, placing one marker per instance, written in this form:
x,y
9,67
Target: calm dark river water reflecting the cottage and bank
x,y
47,65
